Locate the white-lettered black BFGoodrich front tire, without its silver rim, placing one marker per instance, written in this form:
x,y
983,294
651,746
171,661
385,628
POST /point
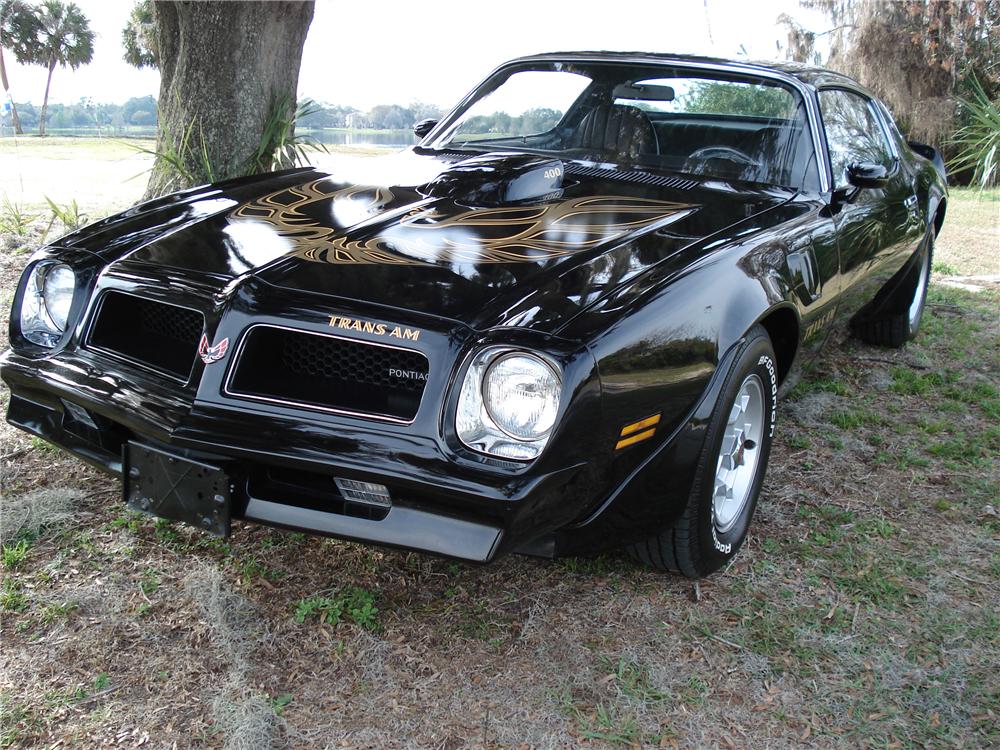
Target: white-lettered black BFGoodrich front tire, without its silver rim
x,y
694,545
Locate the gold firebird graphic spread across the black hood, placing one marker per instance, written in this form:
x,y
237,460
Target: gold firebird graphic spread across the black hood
x,y
507,234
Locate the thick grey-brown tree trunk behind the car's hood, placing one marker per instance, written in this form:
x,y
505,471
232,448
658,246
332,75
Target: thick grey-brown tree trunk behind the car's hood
x,y
224,66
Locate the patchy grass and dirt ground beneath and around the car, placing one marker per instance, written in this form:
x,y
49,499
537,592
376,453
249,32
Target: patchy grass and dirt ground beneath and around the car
x,y
861,613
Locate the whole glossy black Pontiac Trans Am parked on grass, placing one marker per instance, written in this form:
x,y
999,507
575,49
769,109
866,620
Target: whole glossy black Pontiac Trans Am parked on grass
x,y
559,324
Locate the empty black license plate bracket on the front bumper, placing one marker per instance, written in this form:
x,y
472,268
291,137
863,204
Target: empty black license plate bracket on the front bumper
x,y
172,486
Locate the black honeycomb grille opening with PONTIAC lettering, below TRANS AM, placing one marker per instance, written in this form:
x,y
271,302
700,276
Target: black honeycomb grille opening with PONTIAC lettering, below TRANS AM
x,y
326,372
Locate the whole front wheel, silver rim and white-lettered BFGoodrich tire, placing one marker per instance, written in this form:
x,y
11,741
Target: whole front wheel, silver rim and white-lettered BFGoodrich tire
x,y
730,469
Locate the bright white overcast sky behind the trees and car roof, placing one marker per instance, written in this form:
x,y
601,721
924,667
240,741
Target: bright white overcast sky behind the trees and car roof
x,y
390,51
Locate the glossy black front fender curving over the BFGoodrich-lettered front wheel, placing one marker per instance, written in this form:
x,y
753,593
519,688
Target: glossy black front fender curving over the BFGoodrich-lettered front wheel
x,y
664,352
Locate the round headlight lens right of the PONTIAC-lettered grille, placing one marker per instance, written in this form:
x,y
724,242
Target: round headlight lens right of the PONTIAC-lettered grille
x,y
521,394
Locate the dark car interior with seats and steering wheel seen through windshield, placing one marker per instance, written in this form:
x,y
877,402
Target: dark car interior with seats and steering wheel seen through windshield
x,y
623,120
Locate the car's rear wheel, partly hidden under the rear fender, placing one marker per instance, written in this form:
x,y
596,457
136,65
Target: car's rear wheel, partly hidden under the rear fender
x,y
895,319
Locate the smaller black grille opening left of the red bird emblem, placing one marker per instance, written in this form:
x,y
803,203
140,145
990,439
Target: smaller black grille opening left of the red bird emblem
x,y
152,334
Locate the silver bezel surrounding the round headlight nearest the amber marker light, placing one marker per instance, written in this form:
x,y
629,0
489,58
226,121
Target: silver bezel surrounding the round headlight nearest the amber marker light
x,y
474,424
